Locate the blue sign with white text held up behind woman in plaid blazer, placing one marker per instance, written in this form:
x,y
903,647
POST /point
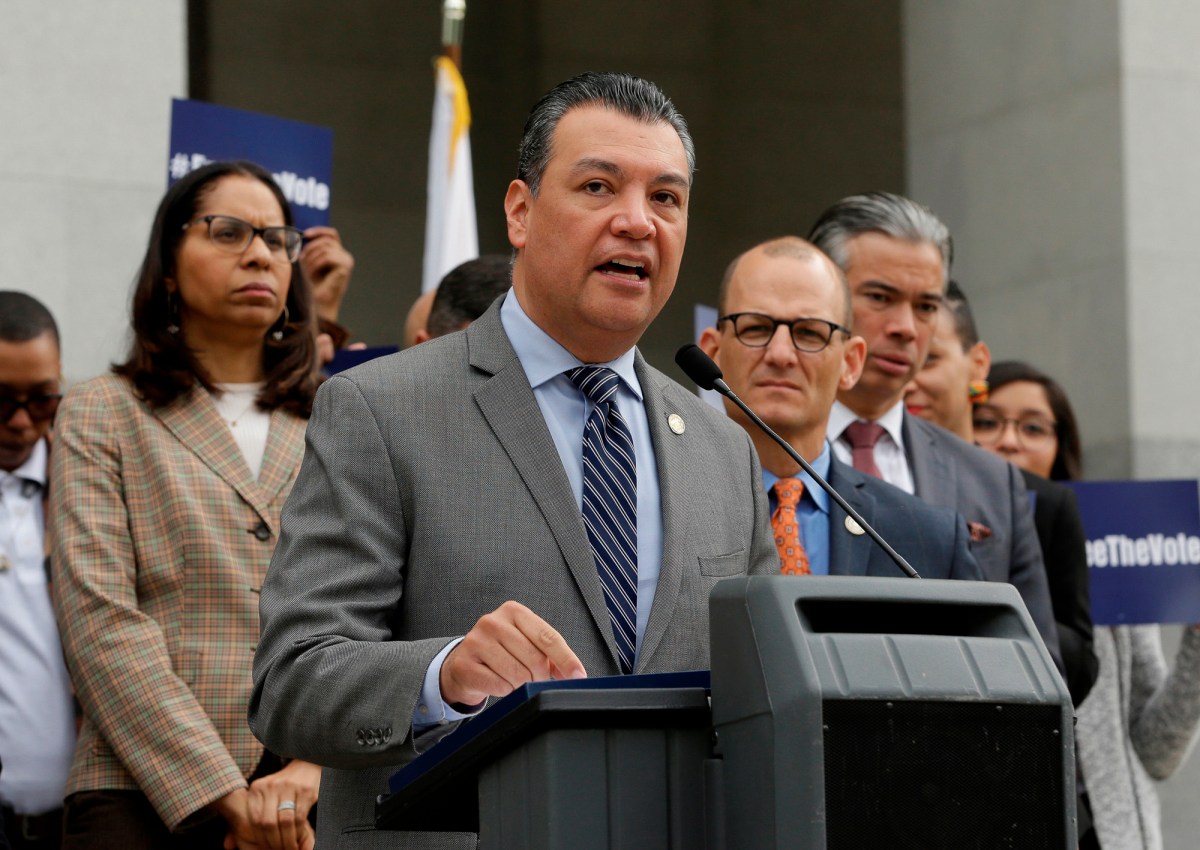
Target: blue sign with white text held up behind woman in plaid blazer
x,y
299,155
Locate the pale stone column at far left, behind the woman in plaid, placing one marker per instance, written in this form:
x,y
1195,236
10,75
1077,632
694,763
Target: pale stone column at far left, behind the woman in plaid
x,y
85,107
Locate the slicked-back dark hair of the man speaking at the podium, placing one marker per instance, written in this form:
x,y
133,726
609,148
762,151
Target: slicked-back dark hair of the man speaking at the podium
x,y
633,97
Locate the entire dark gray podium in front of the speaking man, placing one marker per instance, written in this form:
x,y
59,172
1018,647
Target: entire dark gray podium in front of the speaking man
x,y
841,713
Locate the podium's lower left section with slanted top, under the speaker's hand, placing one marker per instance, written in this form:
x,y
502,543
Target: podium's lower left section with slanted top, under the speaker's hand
x,y
585,764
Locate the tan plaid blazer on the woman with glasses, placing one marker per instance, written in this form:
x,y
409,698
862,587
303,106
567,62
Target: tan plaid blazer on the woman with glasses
x,y
161,538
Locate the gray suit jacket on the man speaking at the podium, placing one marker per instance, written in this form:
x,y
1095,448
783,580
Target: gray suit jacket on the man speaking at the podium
x,y
431,493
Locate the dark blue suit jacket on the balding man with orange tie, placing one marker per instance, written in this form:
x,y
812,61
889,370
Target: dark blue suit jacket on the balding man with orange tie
x,y
933,541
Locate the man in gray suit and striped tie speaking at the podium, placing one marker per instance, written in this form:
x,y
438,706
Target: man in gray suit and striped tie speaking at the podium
x,y
437,549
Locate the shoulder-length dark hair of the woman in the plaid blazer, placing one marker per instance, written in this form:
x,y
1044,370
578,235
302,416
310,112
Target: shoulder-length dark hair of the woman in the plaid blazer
x,y
159,364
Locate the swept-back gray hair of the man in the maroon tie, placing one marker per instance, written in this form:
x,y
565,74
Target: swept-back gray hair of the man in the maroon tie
x,y
892,216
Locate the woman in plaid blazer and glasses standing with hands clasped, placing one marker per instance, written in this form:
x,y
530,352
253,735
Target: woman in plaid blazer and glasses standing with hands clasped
x,y
167,483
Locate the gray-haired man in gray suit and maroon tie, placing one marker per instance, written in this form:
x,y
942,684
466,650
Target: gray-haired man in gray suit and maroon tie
x,y
897,258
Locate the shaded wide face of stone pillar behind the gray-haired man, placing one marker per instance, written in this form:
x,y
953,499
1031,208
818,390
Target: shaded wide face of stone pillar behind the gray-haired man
x,y
1016,137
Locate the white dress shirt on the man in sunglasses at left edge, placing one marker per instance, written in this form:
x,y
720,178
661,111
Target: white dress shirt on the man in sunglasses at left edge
x,y
37,708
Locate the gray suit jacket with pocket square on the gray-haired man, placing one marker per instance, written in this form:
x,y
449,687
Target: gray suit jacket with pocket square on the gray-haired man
x,y
951,472
